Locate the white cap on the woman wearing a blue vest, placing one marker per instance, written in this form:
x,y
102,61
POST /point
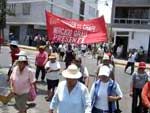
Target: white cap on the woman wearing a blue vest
x,y
104,71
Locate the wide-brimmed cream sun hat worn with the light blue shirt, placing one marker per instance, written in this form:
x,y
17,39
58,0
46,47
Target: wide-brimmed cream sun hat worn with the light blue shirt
x,y
72,72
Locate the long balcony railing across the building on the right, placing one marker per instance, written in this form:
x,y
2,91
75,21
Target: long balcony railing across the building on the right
x,y
131,21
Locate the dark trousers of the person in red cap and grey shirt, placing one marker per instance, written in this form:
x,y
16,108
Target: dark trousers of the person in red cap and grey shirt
x,y
137,108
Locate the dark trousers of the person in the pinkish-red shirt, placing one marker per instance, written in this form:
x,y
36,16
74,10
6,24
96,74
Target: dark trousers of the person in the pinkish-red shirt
x,y
38,69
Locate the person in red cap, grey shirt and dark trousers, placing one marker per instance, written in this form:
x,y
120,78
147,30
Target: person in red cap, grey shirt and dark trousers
x,y
139,78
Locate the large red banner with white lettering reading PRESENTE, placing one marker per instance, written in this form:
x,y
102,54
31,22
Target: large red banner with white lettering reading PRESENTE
x,y
73,31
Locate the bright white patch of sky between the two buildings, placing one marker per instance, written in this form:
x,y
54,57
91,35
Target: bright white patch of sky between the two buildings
x,y
105,9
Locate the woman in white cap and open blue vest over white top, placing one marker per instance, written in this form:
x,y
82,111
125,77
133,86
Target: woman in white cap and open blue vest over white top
x,y
104,92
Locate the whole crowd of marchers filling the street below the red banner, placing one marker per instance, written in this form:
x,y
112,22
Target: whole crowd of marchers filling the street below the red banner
x,y
72,94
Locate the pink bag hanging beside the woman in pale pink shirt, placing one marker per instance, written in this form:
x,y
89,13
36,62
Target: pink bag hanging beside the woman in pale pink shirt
x,y
32,94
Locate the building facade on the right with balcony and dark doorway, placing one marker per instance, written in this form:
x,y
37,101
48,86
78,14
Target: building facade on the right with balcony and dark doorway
x,y
131,24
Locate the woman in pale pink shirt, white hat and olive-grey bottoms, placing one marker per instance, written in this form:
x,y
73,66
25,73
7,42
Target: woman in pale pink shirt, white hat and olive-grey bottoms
x,y
22,79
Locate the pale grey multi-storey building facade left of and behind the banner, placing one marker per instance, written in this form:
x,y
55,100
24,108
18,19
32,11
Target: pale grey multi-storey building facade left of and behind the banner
x,y
29,15
